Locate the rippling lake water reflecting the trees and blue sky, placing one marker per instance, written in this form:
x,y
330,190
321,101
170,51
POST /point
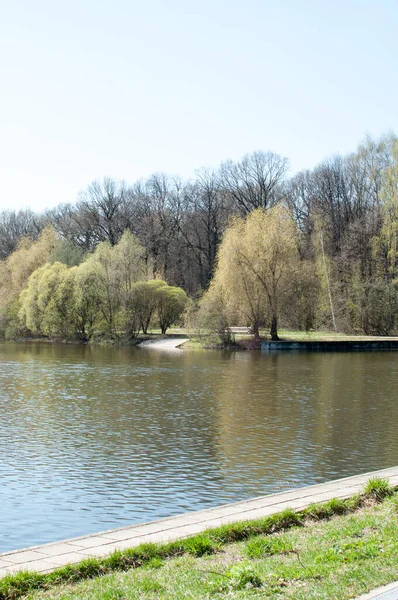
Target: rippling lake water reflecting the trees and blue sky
x,y
93,438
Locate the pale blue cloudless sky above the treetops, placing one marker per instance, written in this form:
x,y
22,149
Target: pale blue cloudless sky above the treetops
x,y
126,88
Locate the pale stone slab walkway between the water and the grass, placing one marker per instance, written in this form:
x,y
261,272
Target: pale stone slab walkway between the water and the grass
x,y
47,557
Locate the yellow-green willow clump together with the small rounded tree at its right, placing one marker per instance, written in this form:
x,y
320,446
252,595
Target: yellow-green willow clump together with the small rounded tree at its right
x,y
105,294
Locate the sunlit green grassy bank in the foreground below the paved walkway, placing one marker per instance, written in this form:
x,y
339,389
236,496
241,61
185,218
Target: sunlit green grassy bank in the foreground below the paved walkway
x,y
334,550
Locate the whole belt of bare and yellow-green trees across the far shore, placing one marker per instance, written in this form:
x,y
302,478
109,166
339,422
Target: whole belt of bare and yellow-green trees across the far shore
x,y
247,243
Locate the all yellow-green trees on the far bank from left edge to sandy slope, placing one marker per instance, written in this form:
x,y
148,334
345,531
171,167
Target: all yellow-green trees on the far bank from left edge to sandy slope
x,y
107,294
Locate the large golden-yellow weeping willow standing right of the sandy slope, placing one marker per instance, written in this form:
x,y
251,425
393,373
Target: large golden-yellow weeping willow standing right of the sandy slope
x,y
257,260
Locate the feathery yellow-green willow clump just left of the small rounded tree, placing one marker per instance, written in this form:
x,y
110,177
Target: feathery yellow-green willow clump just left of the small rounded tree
x,y
75,302
